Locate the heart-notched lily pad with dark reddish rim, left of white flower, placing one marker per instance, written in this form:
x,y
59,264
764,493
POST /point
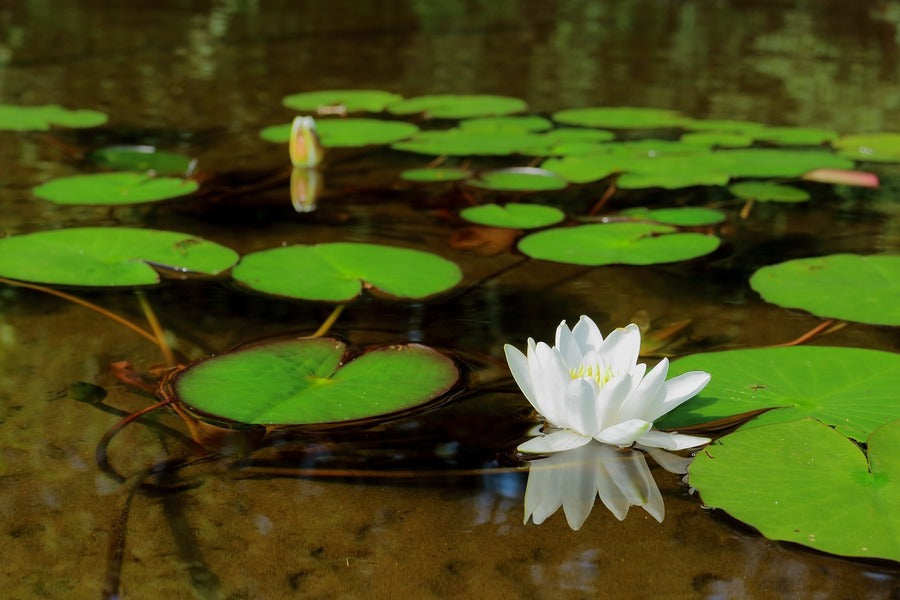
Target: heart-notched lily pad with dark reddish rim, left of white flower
x,y
303,382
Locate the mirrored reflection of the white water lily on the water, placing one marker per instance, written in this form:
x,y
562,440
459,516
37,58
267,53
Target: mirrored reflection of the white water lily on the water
x,y
574,478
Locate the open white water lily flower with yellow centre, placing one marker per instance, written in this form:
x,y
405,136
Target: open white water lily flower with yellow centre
x,y
588,387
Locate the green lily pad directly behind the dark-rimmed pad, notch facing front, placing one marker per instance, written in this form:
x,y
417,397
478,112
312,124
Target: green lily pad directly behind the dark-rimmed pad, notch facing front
x,y
337,272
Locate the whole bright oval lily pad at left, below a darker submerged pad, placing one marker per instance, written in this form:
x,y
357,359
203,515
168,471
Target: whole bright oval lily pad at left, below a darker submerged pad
x,y
114,188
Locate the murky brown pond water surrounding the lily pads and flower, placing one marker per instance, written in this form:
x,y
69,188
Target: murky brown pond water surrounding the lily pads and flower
x,y
203,78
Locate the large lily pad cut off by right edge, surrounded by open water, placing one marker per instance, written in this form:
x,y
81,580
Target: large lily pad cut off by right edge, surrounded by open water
x,y
851,287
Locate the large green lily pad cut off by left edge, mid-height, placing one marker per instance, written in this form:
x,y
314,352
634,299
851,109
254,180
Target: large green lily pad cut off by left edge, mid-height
x,y
108,256
